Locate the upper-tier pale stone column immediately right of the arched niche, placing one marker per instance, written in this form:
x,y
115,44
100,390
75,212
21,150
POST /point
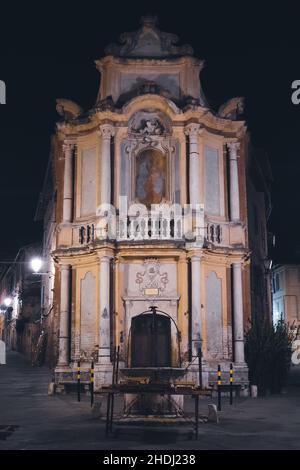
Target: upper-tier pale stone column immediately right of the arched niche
x,y
192,130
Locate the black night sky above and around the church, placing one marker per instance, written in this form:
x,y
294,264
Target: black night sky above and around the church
x,y
48,52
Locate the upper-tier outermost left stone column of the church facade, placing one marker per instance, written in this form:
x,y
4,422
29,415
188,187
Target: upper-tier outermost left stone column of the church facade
x,y
68,183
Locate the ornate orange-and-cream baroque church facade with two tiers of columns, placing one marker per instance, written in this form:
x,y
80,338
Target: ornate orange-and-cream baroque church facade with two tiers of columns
x,y
150,210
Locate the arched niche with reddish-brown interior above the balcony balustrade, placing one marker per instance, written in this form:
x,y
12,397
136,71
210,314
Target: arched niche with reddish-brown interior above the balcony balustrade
x,y
151,174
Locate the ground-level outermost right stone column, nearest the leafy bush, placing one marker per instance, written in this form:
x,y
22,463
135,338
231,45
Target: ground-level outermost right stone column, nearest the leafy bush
x,y
238,320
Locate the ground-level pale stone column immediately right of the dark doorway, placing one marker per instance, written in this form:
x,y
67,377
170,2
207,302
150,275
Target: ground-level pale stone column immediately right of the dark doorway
x,y
196,304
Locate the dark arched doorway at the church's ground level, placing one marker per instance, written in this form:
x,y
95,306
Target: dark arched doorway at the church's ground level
x,y
151,341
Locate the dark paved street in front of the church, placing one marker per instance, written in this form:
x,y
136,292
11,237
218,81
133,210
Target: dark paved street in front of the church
x,y
30,419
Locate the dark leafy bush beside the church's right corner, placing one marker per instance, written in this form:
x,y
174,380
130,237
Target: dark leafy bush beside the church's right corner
x,y
268,350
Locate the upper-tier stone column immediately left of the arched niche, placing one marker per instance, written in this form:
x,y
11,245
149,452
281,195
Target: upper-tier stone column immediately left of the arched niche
x,y
106,132
